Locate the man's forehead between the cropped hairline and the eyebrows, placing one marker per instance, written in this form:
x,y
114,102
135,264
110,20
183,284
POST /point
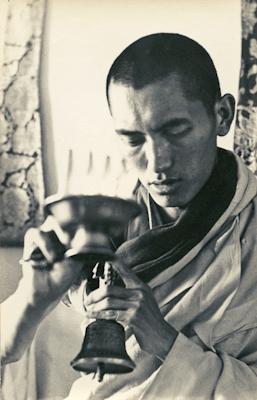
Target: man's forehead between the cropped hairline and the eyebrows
x,y
151,105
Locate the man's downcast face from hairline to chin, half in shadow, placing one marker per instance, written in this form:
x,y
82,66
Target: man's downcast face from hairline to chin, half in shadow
x,y
168,139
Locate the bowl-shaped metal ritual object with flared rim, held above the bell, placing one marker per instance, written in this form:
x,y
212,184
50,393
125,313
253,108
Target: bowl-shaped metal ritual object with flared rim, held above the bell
x,y
90,221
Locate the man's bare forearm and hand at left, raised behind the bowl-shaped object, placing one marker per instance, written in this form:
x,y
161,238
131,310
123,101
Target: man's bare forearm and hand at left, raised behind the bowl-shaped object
x,y
39,291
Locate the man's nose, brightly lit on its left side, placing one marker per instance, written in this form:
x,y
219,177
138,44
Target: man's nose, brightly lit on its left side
x,y
159,155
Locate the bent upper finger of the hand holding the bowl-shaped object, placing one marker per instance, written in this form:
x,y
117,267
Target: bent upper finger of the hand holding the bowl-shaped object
x,y
39,245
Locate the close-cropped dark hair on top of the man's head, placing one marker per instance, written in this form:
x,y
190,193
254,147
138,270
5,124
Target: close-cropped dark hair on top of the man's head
x,y
156,56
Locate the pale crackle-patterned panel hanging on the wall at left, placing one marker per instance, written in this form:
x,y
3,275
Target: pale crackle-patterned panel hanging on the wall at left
x,y
21,178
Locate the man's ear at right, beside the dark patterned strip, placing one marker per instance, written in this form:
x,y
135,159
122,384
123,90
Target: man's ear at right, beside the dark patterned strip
x,y
224,110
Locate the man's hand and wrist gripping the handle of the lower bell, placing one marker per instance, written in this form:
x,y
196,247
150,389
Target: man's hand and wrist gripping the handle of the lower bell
x,y
136,307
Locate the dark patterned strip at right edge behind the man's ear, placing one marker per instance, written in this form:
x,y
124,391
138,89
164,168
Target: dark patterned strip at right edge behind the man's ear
x,y
246,124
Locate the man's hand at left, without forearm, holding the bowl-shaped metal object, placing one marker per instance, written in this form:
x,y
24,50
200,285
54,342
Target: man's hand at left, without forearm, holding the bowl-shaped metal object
x,y
48,278
